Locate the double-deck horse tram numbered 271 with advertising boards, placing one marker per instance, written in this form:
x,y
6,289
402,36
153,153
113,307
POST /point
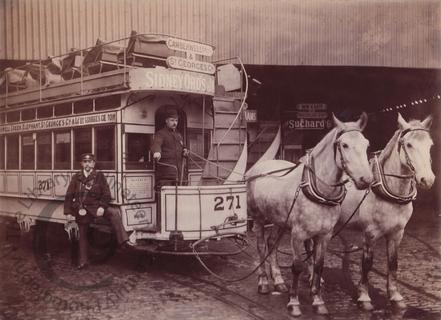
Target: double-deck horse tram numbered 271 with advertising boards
x,y
110,100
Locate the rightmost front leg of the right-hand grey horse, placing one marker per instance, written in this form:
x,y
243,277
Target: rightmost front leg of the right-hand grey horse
x,y
393,242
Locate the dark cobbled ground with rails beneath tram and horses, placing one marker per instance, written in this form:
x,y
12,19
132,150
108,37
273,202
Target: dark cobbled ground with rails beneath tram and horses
x,y
125,285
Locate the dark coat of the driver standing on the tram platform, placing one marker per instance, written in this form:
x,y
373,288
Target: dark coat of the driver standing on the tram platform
x,y
170,144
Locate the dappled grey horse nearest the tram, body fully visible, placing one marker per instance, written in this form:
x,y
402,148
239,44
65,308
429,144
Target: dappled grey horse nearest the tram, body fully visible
x,y
274,196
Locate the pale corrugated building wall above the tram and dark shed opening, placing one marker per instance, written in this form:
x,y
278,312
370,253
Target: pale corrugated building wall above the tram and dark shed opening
x,y
400,33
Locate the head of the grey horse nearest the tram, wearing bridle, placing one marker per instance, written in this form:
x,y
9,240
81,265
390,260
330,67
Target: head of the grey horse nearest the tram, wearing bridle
x,y
351,150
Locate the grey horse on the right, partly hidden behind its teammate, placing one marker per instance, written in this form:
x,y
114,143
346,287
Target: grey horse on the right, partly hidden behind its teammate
x,y
404,162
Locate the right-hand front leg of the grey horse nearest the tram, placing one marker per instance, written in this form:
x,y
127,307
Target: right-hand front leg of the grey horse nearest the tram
x,y
321,244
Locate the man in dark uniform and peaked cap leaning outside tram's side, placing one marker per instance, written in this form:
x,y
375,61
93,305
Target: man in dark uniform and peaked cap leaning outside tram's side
x,y
88,197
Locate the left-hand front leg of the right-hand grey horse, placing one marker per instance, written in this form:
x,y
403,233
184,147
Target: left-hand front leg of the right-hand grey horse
x,y
367,259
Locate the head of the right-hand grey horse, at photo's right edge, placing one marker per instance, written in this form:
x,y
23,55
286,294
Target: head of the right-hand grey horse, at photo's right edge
x,y
414,149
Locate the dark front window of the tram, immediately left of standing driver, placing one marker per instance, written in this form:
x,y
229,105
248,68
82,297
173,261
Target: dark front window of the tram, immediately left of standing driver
x,y
137,151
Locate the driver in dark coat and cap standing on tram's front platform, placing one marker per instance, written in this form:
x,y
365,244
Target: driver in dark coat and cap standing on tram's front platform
x,y
168,150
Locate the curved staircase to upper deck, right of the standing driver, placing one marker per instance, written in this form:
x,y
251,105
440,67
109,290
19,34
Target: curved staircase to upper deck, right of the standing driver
x,y
229,137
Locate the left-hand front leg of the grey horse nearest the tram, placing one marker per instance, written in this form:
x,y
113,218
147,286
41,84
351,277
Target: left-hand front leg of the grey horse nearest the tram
x,y
297,267
